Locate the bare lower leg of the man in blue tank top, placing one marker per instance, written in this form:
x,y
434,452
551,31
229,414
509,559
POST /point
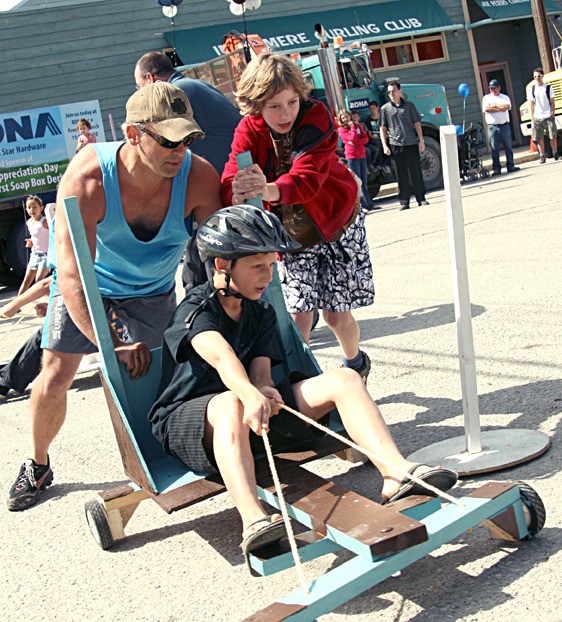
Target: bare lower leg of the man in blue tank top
x,y
48,400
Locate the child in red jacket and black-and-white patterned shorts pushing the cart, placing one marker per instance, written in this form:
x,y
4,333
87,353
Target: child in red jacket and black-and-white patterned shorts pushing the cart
x,y
293,143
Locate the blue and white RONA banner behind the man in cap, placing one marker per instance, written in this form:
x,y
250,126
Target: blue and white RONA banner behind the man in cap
x,y
37,145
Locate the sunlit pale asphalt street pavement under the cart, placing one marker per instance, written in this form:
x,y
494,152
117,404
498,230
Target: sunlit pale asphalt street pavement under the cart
x,y
188,566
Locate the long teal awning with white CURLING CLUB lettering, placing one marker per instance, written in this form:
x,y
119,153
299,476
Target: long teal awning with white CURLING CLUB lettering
x,y
292,33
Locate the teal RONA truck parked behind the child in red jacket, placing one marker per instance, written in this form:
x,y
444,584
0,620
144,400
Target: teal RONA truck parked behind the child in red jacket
x,y
349,71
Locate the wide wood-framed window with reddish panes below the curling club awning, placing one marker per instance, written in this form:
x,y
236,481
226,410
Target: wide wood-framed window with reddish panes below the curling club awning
x,y
410,51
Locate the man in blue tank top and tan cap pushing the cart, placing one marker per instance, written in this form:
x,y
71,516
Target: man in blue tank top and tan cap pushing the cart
x,y
138,199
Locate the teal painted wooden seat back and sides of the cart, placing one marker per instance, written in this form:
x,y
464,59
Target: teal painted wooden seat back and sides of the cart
x,y
144,459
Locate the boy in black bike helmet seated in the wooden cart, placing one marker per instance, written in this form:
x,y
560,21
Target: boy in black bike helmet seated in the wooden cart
x,y
217,394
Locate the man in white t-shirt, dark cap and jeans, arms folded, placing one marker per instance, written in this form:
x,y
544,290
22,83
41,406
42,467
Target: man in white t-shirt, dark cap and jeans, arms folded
x,y
496,107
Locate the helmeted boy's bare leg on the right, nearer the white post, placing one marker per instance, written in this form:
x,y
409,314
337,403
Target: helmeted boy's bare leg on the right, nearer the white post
x,y
344,389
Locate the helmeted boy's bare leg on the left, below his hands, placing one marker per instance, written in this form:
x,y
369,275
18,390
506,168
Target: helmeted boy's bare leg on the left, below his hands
x,y
229,439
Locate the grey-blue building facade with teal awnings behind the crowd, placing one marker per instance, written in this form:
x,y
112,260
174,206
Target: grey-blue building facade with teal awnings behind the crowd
x,y
64,51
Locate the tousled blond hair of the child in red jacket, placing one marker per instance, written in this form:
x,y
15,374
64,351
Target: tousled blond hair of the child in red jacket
x,y
264,77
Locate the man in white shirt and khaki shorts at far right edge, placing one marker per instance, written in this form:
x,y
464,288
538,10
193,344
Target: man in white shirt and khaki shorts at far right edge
x,y
542,112
